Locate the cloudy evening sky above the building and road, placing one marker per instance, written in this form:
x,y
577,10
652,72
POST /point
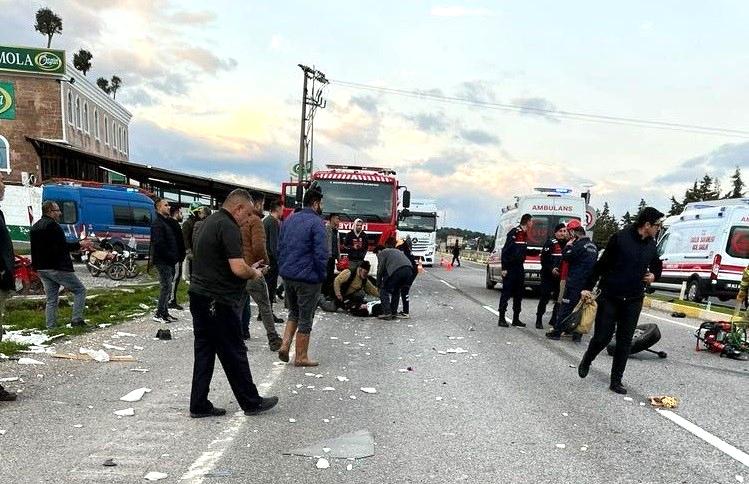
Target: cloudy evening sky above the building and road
x,y
215,90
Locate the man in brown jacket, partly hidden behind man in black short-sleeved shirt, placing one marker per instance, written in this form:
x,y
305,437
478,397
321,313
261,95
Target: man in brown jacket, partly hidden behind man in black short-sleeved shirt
x,y
254,251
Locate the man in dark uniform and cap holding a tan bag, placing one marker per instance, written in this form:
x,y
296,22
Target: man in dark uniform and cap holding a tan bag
x,y
580,254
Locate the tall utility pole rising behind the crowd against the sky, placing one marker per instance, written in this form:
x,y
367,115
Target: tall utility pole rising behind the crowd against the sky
x,y
311,97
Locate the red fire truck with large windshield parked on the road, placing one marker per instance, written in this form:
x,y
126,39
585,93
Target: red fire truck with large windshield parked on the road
x,y
368,193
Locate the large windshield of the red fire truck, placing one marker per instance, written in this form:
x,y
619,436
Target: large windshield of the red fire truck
x,y
372,202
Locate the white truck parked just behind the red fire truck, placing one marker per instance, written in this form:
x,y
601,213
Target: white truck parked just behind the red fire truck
x,y
419,223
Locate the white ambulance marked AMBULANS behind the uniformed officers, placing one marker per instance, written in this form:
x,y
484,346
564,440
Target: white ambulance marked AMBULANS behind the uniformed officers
x,y
549,207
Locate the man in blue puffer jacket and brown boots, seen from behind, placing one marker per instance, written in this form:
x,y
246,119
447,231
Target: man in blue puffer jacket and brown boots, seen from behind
x,y
303,253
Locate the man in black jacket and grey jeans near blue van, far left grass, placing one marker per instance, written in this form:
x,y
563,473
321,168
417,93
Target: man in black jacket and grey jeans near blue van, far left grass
x,y
50,256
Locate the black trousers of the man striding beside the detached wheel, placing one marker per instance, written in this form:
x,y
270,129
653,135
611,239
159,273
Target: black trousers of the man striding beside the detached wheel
x,y
618,315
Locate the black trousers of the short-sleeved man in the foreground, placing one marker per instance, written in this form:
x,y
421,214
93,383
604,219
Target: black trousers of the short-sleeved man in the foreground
x,y
218,332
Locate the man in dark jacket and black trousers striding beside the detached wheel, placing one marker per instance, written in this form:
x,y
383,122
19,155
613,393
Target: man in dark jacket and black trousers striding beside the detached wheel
x,y
629,264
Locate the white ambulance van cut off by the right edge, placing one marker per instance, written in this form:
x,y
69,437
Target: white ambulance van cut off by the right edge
x,y
707,246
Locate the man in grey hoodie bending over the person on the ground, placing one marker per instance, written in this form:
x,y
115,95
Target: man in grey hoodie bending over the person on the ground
x,y
394,272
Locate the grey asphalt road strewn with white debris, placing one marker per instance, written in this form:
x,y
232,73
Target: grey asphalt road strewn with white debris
x,y
509,409
